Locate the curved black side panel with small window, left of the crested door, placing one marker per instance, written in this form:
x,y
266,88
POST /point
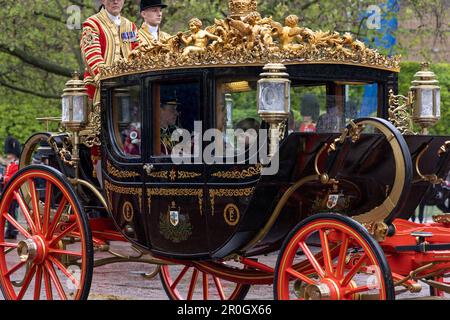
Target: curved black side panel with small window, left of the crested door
x,y
122,156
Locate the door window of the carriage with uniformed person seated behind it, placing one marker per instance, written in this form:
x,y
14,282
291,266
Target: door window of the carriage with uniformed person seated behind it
x,y
179,108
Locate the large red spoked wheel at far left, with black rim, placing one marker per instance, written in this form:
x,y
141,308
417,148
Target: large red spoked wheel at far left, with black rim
x,y
52,257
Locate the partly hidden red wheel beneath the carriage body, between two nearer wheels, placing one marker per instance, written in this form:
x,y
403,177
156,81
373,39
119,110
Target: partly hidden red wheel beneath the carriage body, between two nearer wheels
x,y
186,282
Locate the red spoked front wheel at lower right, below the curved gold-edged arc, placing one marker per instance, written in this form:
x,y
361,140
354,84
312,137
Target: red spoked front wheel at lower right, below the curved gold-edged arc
x,y
358,270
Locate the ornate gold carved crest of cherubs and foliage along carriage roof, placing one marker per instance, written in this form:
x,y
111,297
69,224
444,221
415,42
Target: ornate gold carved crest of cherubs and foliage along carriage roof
x,y
248,40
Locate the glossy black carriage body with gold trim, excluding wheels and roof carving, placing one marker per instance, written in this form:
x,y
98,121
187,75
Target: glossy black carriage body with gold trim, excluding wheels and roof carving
x,y
220,208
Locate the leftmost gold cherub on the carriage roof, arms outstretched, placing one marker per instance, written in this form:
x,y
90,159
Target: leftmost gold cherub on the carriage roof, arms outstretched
x,y
200,38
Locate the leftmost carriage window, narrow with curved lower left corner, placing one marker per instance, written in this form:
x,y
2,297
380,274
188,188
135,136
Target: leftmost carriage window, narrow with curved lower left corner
x,y
127,120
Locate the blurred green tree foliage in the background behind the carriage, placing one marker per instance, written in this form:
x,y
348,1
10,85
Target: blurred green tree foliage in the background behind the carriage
x,y
38,51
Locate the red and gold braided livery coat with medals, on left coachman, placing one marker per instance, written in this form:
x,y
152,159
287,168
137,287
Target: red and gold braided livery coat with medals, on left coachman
x,y
103,43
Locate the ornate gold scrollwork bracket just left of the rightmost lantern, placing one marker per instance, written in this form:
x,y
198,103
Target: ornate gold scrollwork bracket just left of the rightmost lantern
x,y
400,113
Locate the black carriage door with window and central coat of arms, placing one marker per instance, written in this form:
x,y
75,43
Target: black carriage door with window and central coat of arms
x,y
174,182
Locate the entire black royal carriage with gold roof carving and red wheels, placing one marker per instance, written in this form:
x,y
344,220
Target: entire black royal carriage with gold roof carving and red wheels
x,y
333,204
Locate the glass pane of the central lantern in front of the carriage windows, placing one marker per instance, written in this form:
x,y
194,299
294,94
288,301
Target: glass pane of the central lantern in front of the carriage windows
x,y
272,96
